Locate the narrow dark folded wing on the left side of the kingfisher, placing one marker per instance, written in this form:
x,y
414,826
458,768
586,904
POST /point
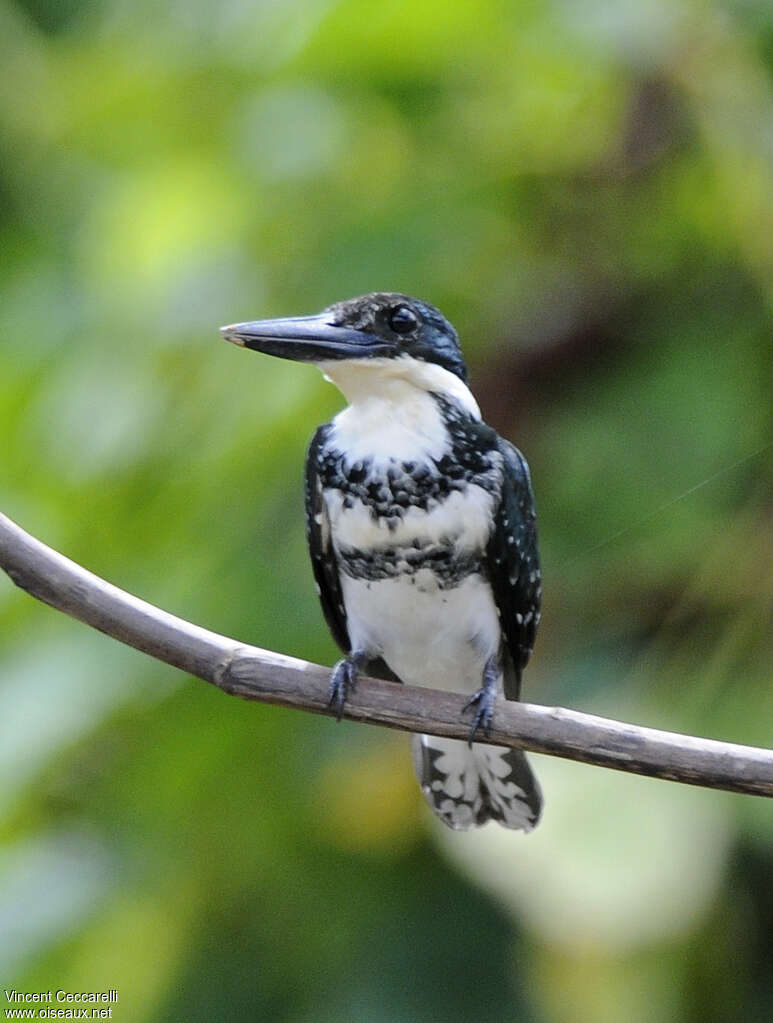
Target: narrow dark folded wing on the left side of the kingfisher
x,y
321,546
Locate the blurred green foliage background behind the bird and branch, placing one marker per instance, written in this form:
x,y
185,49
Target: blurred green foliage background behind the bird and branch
x,y
587,192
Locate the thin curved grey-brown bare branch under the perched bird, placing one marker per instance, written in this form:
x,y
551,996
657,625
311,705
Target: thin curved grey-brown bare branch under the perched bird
x,y
260,675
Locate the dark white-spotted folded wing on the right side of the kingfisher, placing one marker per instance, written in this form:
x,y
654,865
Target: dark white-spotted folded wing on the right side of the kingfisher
x,y
514,565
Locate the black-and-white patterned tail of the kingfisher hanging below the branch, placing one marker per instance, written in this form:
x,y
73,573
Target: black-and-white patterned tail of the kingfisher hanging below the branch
x,y
469,785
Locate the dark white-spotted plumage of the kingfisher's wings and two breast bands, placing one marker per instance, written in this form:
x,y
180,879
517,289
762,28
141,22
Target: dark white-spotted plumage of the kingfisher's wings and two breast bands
x,y
477,457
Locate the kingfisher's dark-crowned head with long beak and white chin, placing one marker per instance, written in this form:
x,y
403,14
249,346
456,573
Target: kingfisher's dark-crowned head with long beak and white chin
x,y
385,331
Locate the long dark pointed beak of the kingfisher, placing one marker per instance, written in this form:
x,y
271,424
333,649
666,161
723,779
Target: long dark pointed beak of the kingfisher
x,y
306,339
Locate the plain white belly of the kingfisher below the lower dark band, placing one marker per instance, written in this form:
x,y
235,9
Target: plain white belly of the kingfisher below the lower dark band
x,y
429,637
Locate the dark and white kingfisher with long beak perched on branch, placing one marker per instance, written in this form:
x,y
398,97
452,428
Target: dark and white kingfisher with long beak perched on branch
x,y
423,533
